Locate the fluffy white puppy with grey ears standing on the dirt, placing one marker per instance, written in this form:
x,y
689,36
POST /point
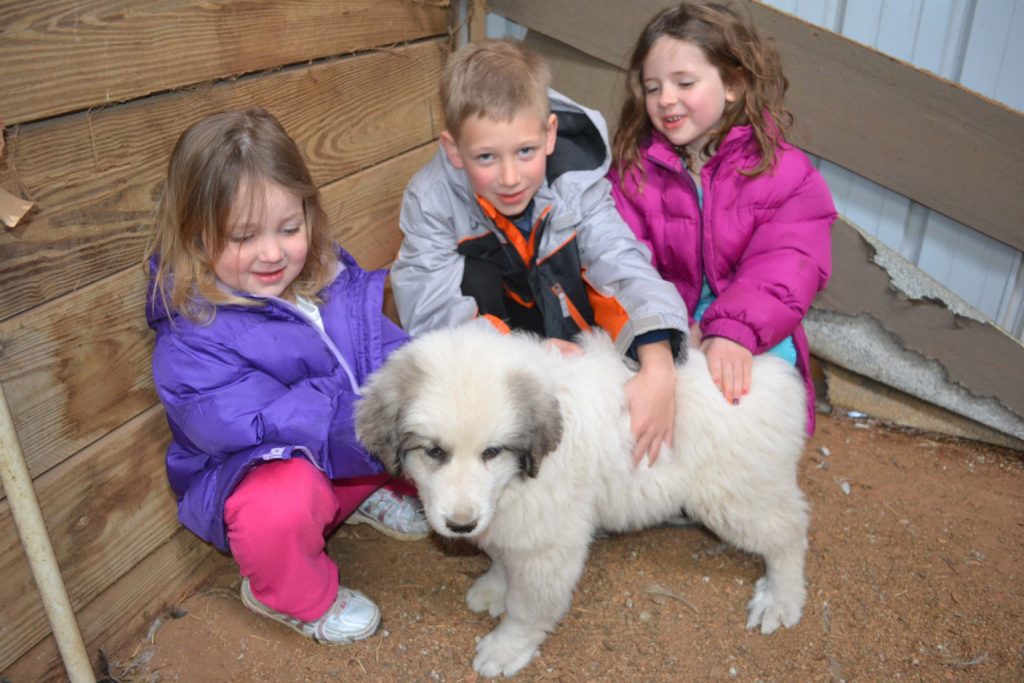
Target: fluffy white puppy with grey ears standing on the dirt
x,y
527,453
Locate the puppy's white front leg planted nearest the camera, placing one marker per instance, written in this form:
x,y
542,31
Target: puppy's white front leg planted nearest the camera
x,y
540,592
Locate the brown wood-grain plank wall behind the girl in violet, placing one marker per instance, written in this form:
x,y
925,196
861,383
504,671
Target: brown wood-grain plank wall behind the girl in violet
x,y
96,95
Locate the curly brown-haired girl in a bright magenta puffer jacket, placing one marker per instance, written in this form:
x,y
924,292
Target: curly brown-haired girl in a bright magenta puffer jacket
x,y
737,218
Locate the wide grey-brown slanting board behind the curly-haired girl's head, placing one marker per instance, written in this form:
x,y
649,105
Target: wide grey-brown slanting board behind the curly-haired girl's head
x,y
913,133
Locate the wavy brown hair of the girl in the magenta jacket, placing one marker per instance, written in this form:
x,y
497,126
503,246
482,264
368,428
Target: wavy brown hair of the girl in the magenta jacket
x,y
745,62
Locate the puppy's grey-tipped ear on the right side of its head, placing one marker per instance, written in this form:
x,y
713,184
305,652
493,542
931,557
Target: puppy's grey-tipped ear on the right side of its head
x,y
540,417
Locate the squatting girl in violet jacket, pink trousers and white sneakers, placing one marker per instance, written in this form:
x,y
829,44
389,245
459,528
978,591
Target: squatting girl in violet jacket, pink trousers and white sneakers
x,y
266,331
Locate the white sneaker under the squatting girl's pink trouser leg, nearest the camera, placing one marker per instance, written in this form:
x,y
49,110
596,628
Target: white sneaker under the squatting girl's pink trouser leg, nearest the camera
x,y
353,617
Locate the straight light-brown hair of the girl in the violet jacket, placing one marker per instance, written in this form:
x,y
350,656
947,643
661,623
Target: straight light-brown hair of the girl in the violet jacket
x,y
211,161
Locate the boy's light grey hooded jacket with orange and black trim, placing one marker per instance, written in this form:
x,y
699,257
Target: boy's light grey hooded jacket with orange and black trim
x,y
441,216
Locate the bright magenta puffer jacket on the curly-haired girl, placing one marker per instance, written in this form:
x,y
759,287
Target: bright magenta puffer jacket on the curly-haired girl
x,y
763,243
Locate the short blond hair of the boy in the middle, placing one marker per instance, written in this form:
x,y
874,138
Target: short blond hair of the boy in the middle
x,y
495,79
